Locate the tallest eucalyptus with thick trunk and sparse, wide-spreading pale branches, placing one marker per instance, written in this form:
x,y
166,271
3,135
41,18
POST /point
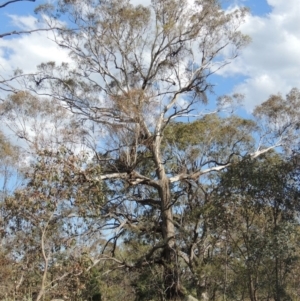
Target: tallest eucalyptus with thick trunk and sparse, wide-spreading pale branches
x,y
136,71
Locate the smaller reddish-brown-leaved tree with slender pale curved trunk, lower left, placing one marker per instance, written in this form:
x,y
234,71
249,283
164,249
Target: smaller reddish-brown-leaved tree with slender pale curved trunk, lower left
x,y
48,233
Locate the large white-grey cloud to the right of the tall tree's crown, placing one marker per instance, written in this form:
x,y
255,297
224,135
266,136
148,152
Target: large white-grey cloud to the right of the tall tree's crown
x,y
271,63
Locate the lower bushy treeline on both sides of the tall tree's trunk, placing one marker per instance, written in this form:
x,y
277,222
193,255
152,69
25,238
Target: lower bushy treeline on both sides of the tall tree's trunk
x,y
243,220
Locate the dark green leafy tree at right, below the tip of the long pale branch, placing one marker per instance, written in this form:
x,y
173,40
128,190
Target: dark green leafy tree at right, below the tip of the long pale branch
x,y
260,220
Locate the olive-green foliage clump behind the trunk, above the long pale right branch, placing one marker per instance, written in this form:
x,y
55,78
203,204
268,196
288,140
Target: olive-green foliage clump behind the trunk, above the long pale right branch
x,y
211,138
